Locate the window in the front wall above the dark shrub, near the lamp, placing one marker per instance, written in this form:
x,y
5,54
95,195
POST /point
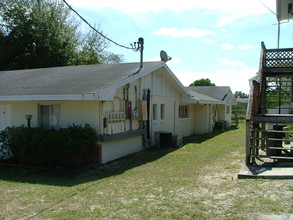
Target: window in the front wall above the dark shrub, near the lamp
x,y
49,116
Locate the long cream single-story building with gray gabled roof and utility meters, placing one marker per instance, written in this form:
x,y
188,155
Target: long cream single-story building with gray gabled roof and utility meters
x,y
127,105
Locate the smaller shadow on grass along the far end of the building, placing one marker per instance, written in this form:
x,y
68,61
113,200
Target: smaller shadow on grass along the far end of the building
x,y
197,139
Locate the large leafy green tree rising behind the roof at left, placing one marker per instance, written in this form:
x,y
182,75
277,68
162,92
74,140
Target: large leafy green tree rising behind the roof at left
x,y
42,33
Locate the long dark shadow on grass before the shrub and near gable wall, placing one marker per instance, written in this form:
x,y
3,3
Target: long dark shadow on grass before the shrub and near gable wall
x,y
68,178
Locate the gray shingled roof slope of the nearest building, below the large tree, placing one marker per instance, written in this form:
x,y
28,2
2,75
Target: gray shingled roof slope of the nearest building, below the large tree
x,y
68,79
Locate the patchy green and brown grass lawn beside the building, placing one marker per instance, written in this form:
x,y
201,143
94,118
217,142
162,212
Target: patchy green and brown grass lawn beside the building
x,y
197,181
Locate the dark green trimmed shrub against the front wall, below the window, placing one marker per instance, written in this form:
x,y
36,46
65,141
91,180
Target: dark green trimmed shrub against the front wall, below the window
x,y
73,146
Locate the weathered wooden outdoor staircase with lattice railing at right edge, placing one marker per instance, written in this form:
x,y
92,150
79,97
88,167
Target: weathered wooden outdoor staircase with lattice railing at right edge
x,y
269,123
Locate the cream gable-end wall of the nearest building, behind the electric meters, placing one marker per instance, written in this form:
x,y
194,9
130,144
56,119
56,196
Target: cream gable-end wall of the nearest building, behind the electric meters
x,y
163,92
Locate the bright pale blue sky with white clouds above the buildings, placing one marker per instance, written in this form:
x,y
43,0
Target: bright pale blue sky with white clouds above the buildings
x,y
219,40
